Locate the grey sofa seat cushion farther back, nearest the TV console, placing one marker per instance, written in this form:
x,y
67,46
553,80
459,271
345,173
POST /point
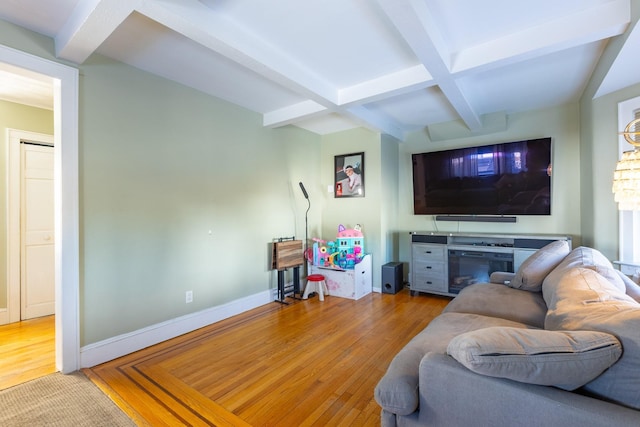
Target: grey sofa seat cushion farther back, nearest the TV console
x,y
498,300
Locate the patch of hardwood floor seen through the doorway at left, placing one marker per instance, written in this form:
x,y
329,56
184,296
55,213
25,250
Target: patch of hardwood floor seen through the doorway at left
x,y
28,350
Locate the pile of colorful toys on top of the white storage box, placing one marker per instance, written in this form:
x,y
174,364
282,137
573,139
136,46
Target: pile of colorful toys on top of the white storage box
x,y
344,253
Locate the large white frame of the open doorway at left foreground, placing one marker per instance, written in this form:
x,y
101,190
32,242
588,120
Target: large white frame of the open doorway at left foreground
x,y
65,152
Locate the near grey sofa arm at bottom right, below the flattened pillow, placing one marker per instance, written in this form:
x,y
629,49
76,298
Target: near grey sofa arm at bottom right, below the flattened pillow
x,y
452,395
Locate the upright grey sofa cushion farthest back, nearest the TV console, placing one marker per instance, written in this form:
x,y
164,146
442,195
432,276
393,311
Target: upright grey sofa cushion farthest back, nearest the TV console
x,y
534,269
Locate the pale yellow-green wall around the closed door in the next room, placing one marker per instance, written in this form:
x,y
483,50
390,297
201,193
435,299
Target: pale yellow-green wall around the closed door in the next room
x,y
19,117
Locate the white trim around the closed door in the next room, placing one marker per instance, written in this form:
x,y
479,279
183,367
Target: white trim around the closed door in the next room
x,y
14,166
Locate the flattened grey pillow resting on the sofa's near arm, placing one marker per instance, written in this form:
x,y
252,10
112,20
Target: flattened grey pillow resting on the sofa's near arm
x,y
567,360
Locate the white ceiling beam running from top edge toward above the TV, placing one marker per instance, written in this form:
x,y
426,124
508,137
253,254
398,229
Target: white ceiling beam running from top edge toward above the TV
x,y
413,20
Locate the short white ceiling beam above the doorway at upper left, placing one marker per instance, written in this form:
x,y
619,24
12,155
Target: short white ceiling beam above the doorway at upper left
x,y
91,22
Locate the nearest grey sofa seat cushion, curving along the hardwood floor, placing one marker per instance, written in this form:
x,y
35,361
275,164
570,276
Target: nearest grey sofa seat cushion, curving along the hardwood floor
x,y
397,390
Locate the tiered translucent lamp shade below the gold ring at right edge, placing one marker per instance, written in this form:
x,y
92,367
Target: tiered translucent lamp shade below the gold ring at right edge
x,y
626,181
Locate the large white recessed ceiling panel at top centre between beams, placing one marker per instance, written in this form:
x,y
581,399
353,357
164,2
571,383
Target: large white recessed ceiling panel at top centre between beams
x,y
340,41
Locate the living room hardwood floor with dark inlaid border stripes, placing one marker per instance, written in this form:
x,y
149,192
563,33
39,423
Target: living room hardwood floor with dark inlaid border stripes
x,y
310,363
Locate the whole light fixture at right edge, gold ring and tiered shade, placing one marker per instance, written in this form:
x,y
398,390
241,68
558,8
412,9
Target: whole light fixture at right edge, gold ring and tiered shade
x,y
626,178
